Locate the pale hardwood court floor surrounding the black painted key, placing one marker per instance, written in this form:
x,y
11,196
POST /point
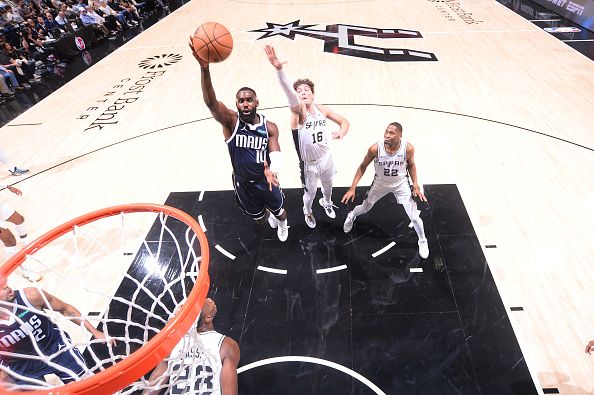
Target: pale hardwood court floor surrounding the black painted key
x,y
504,113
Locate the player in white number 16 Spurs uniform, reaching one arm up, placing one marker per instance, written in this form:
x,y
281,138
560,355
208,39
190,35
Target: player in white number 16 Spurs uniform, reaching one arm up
x,y
311,135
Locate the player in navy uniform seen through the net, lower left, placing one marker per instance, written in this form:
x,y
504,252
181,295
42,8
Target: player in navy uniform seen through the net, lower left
x,y
22,327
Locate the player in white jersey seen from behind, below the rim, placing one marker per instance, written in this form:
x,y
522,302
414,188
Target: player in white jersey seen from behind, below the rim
x,y
209,361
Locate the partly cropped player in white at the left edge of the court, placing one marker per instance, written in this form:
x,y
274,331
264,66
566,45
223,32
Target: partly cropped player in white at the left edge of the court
x,y
9,214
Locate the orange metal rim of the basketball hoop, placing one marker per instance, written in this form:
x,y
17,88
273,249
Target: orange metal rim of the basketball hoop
x,y
148,356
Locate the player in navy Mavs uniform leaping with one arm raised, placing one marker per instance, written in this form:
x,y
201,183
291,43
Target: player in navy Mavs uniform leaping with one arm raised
x,y
252,141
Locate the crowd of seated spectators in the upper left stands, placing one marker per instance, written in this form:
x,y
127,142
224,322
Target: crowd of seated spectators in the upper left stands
x,y
28,28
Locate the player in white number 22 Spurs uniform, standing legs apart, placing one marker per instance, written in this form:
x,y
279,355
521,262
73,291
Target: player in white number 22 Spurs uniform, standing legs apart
x,y
393,157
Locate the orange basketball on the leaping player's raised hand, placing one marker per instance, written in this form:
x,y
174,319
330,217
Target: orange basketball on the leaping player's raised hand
x,y
212,42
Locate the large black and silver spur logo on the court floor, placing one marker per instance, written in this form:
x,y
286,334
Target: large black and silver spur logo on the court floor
x,y
340,39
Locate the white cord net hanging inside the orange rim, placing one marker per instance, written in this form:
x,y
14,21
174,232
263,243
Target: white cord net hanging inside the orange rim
x,y
128,274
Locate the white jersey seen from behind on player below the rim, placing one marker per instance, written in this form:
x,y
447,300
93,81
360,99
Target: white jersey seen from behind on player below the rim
x,y
201,373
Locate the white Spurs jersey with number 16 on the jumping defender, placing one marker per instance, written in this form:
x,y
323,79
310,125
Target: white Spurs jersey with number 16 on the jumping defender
x,y
313,137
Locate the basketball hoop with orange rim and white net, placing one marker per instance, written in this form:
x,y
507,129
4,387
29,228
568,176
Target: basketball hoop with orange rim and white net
x,y
174,300
